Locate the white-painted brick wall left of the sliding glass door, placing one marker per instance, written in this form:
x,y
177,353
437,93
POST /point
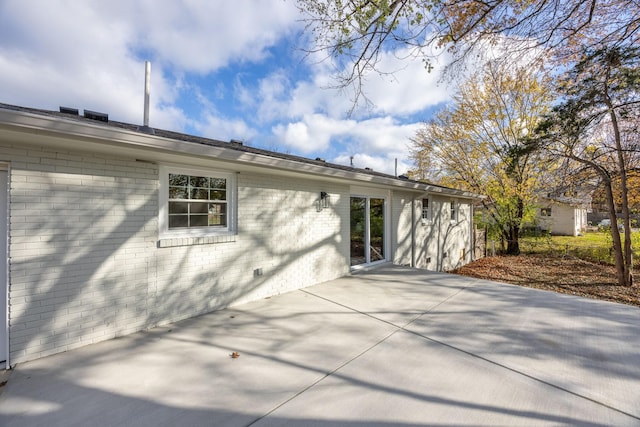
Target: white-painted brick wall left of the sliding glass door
x,y
86,264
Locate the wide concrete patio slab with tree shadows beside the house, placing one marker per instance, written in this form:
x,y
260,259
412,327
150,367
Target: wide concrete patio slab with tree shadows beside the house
x,y
390,347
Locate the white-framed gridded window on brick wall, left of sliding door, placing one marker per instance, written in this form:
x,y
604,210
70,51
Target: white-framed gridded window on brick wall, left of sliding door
x,y
196,202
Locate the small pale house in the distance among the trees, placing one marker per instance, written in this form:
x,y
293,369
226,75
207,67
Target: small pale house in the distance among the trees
x,y
563,216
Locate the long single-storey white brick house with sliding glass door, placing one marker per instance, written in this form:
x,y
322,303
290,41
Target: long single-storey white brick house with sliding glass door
x,y
110,228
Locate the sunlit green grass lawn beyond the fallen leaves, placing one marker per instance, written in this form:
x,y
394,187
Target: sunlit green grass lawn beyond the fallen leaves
x,y
592,246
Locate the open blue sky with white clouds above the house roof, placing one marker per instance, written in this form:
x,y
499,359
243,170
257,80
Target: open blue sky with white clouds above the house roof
x,y
220,69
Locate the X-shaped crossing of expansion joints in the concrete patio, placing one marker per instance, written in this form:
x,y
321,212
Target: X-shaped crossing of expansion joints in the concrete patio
x,y
399,328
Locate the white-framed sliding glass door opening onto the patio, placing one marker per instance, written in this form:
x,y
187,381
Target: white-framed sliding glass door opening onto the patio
x,y
367,230
